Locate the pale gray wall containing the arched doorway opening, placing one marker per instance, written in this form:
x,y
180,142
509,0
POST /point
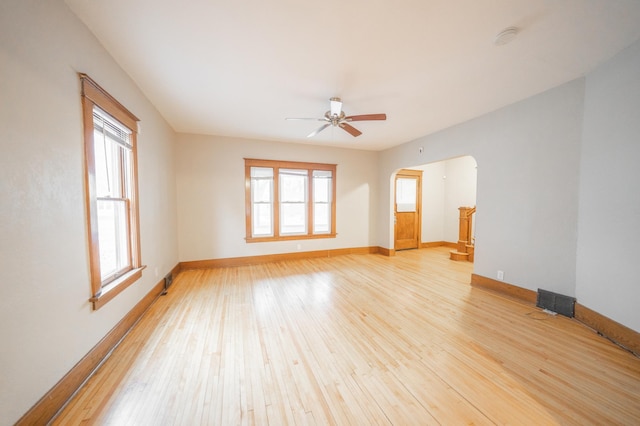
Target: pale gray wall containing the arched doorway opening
x,y
527,193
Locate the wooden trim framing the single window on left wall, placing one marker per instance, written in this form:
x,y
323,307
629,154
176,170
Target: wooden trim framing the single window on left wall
x,y
94,95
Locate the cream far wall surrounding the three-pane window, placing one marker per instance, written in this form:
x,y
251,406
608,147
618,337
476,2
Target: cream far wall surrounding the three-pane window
x,y
210,181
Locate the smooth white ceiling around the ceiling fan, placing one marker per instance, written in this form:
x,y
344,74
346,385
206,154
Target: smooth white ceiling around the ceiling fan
x,y
238,68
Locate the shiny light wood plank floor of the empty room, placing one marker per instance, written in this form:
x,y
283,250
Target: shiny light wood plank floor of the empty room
x,y
358,339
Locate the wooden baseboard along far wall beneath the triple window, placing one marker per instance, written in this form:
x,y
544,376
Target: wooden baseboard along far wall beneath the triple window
x,y
256,260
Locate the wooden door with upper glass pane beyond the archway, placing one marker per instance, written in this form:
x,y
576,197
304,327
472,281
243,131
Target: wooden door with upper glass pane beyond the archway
x,y
407,209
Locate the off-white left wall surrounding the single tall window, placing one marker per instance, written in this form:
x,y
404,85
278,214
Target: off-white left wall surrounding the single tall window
x,y
46,321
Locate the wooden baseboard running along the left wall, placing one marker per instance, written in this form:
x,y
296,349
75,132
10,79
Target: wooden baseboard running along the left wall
x,y
55,399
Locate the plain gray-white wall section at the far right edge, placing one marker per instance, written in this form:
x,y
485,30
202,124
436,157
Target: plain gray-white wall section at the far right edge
x,y
608,266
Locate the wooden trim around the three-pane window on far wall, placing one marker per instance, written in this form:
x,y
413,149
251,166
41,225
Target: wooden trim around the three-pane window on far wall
x,y
277,165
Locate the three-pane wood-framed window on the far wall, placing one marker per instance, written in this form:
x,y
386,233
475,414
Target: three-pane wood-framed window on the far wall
x,y
289,200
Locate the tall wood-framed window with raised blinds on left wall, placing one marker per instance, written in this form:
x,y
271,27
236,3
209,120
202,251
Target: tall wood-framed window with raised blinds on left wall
x,y
111,193
